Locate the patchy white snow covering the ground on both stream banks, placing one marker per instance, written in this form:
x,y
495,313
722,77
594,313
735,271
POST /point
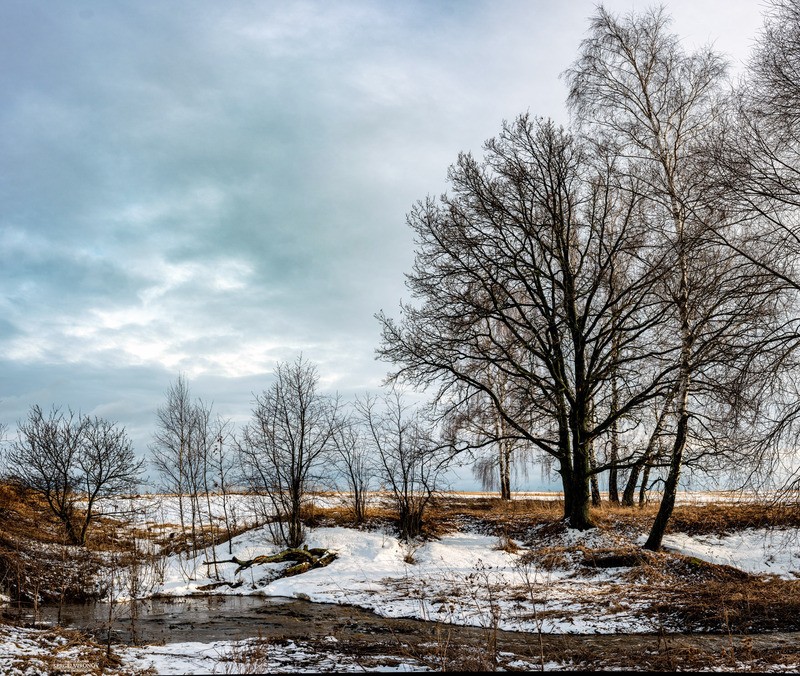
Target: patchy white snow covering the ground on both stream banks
x,y
460,578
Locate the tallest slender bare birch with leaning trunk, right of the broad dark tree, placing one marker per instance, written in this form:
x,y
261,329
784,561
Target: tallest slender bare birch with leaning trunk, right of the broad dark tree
x,y
635,90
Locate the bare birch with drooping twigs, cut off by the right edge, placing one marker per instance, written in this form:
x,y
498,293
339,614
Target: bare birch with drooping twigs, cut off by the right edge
x,y
757,158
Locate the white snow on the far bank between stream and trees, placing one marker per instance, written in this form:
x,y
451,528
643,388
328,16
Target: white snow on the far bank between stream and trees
x,y
463,578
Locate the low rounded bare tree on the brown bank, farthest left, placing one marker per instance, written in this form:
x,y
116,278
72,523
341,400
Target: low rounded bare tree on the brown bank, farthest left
x,y
72,461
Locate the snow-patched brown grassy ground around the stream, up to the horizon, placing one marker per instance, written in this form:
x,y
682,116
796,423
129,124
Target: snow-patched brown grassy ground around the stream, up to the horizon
x,y
500,585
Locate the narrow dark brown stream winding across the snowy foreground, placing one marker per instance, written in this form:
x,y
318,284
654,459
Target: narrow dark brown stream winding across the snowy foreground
x,y
359,632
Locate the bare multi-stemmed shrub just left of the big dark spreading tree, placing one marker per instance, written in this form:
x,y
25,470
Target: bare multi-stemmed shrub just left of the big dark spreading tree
x,y
410,461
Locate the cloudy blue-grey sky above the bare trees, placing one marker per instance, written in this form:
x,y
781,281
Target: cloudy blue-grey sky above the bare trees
x,y
210,188
